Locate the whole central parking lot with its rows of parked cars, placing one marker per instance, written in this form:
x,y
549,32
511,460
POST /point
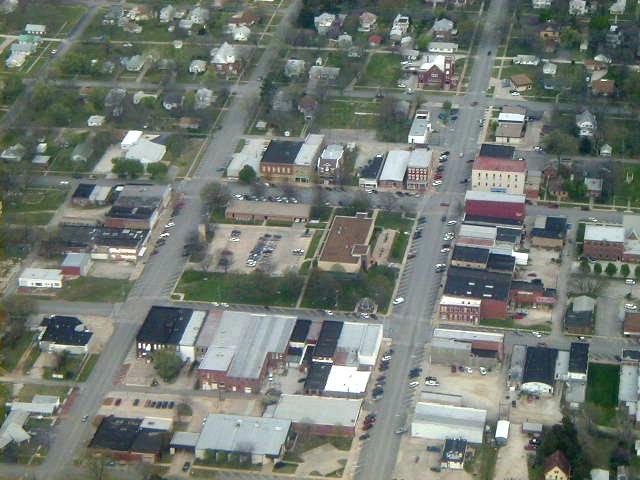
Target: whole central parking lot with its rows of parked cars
x,y
243,248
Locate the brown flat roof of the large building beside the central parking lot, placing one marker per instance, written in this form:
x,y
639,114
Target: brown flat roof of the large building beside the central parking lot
x,y
345,234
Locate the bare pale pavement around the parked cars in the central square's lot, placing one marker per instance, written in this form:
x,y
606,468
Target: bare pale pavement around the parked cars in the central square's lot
x,y
280,260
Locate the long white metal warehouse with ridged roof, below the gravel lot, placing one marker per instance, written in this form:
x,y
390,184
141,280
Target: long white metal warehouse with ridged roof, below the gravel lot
x,y
439,422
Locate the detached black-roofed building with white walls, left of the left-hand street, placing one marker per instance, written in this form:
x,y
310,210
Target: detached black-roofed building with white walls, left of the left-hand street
x,y
64,334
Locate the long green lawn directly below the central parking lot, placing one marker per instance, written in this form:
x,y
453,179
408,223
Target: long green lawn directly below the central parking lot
x,y
254,289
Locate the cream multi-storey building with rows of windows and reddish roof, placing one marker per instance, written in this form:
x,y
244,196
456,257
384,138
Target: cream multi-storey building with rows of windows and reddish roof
x,y
492,174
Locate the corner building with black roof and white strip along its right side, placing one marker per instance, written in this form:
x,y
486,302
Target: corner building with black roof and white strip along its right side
x,y
170,328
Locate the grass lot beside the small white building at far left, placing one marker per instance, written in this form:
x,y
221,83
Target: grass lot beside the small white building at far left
x,y
94,289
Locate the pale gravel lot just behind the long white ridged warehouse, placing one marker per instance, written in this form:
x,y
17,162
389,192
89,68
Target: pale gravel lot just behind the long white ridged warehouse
x,y
478,391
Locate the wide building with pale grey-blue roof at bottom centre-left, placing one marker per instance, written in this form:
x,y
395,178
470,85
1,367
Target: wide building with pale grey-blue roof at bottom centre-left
x,y
259,439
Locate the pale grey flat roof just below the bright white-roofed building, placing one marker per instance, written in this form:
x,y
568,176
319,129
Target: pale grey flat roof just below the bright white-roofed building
x,y
316,410
